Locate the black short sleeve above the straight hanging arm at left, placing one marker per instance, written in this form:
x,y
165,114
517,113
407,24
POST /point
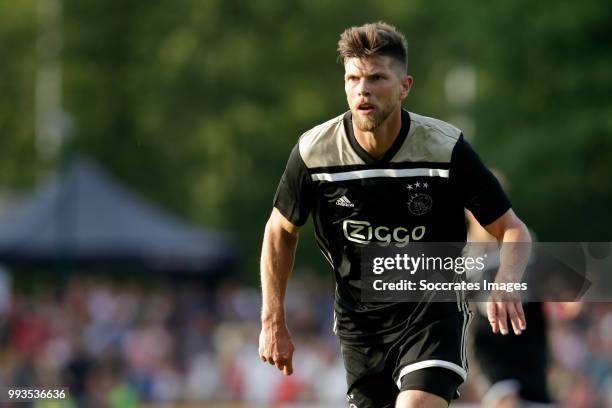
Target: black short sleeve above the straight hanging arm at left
x,y
295,193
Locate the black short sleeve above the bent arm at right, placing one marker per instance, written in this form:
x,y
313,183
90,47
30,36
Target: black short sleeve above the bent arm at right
x,y
478,188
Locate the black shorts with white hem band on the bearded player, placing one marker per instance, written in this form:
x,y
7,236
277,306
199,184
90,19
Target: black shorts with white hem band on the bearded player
x,y
427,355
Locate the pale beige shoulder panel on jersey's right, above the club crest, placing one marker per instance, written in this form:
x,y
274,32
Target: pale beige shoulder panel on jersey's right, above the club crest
x,y
429,140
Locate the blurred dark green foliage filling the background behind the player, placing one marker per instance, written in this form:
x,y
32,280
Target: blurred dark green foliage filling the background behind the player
x,y
196,104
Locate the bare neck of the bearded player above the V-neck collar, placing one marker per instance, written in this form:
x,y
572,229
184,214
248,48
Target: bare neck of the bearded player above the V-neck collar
x,y
377,141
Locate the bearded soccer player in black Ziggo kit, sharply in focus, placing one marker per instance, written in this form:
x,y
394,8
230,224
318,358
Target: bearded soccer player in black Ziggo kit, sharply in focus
x,y
380,174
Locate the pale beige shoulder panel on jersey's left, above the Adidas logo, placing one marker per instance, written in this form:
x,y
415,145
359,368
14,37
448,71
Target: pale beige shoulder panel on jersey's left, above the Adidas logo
x,y
327,145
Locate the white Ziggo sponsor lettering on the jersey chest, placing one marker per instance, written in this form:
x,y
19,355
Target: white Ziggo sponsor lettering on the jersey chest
x,y
363,232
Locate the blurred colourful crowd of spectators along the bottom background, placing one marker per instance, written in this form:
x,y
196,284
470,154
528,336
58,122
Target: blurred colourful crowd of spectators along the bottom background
x,y
122,342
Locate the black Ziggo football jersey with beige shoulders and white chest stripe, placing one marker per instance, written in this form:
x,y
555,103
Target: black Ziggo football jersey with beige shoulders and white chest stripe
x,y
416,192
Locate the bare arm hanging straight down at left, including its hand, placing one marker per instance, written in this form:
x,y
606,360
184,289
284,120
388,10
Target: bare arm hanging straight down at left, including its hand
x,y
277,256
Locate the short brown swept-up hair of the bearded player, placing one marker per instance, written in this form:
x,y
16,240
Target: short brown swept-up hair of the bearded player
x,y
373,39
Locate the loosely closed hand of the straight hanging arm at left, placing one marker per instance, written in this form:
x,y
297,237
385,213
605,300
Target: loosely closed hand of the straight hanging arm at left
x,y
276,347
